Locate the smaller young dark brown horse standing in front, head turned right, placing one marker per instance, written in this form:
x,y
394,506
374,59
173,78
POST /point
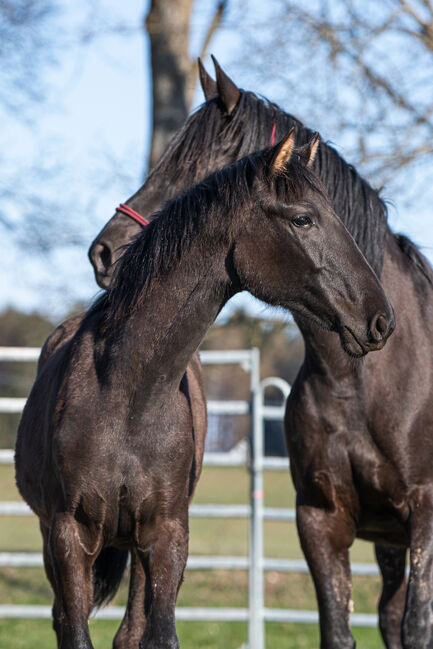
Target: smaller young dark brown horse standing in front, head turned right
x,y
105,447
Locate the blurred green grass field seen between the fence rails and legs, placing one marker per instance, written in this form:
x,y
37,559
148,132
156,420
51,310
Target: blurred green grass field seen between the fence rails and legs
x,y
201,588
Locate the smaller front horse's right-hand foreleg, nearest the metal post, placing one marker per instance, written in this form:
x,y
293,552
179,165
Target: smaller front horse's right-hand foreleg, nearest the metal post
x,y
164,566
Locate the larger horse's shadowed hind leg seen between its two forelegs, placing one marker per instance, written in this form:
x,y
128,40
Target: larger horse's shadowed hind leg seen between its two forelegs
x,y
392,564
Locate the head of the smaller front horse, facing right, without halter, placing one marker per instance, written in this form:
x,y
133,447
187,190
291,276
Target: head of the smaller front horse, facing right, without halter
x,y
321,275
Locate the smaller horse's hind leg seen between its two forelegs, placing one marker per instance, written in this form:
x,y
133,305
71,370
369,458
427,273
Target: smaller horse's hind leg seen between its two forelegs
x,y
134,620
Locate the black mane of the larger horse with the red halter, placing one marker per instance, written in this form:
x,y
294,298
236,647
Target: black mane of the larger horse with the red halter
x,y
249,128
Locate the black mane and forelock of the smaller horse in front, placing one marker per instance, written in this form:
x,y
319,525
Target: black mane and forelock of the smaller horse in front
x,y
212,209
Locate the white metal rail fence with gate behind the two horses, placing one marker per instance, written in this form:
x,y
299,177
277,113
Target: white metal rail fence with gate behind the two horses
x,y
256,614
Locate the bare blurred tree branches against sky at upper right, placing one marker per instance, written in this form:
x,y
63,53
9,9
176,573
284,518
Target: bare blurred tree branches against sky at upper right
x,y
360,70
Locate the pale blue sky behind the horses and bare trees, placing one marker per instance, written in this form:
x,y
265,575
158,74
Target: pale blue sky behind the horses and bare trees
x,y
94,132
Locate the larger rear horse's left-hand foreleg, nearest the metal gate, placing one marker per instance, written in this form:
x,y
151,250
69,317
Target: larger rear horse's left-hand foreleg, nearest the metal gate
x,y
325,539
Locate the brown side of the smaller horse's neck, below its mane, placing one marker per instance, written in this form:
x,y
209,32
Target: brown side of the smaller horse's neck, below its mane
x,y
158,339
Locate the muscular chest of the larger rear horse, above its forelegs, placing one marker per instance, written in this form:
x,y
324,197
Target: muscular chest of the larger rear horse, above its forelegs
x,y
336,464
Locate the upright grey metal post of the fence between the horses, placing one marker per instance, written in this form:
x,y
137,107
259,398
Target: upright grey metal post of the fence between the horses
x,y
256,591
